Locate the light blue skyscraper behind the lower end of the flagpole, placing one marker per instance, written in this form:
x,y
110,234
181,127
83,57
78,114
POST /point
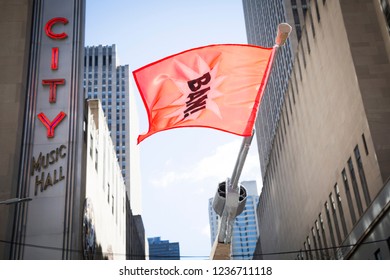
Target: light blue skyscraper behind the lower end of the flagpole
x,y
245,229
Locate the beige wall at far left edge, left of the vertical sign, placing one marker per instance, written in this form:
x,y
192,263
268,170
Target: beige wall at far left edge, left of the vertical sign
x,y
15,25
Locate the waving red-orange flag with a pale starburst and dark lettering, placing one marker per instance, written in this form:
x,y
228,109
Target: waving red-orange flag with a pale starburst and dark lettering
x,y
215,86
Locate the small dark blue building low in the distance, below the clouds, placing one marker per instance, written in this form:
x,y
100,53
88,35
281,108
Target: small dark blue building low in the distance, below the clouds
x,y
163,249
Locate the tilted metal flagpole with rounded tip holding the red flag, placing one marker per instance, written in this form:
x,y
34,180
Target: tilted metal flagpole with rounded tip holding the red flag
x,y
233,198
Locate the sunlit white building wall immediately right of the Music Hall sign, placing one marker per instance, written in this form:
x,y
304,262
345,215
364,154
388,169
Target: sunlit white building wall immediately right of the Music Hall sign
x,y
105,193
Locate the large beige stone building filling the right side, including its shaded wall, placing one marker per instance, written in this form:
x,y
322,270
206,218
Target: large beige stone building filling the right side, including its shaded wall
x,y
338,99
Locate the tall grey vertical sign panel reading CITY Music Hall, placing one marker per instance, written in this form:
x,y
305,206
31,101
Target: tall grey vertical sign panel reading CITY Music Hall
x,y
50,174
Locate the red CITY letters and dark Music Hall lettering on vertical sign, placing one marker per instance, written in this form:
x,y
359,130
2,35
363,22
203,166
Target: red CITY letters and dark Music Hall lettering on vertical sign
x,y
40,163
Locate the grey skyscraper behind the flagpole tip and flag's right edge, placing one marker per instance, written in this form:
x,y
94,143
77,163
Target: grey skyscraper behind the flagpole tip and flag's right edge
x,y
261,19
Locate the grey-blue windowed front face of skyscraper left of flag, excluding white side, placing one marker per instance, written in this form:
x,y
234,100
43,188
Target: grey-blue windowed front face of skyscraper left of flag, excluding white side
x,y
109,82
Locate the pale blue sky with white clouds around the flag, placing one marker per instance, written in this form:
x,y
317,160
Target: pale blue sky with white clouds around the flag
x,y
180,168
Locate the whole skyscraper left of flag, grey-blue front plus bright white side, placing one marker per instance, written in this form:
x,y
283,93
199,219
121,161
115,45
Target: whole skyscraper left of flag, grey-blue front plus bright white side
x,y
106,80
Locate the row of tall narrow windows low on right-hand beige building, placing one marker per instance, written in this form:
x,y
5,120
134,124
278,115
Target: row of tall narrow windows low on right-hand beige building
x,y
335,214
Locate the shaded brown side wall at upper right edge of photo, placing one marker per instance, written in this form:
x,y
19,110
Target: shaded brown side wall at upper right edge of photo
x,y
368,48
